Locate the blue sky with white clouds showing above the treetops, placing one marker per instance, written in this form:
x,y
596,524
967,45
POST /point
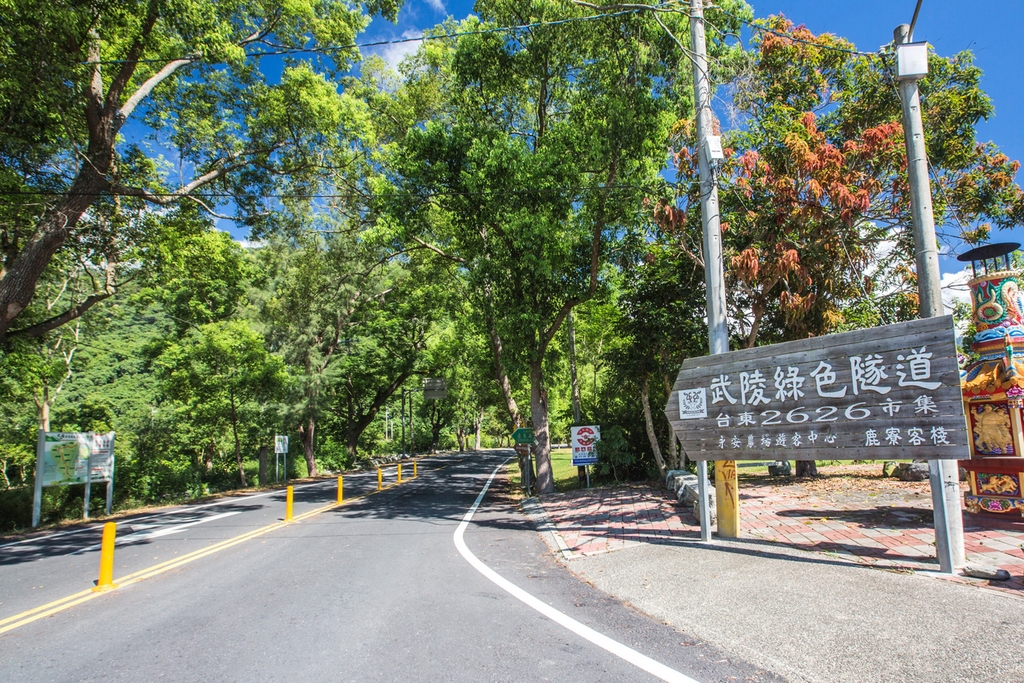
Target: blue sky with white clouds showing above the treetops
x,y
992,29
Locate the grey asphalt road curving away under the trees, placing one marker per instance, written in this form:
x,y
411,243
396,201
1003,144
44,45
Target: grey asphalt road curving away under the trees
x,y
410,584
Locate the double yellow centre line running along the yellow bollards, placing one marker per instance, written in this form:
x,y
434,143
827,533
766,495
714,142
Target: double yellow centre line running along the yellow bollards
x,y
30,616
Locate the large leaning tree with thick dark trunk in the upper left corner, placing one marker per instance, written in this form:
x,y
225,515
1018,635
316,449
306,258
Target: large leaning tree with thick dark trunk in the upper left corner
x,y
84,81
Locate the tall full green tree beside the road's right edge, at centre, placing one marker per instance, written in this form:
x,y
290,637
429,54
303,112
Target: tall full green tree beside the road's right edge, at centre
x,y
536,164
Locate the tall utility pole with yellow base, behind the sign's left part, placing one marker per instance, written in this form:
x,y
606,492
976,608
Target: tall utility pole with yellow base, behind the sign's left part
x,y
727,483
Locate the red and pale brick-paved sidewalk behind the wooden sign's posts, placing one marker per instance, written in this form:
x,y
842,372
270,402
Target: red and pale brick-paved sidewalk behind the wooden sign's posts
x,y
899,538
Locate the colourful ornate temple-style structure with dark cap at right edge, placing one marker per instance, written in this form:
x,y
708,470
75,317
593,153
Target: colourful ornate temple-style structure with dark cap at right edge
x,y
994,386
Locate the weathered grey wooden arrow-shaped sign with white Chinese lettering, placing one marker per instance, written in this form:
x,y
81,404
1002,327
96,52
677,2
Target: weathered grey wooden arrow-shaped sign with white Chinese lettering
x,y
884,394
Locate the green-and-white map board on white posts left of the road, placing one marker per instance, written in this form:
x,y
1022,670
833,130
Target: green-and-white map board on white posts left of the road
x,y
64,459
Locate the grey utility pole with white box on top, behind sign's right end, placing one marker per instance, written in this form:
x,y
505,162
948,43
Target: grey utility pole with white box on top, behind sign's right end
x,y
944,475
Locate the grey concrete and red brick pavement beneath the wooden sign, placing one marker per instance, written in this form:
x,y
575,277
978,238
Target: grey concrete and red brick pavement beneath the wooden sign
x,y
812,593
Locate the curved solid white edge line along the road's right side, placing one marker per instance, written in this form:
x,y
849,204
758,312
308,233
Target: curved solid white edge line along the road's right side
x,y
623,652
